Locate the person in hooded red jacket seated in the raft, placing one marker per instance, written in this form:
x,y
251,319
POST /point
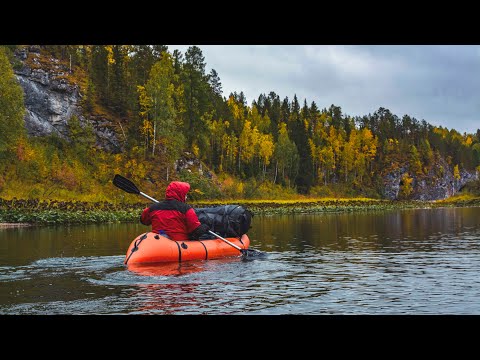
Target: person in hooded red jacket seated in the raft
x,y
173,217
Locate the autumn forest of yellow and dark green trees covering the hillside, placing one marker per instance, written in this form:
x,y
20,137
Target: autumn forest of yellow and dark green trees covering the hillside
x,y
165,106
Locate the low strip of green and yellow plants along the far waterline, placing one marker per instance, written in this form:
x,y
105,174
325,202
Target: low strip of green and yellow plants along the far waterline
x,y
33,212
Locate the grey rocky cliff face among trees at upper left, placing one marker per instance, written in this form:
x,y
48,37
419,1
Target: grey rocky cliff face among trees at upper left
x,y
51,99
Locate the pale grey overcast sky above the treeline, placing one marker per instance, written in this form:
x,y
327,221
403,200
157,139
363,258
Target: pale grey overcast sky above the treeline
x,y
438,84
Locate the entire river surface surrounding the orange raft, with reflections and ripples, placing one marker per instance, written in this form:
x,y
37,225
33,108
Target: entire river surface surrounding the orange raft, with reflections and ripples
x,y
402,262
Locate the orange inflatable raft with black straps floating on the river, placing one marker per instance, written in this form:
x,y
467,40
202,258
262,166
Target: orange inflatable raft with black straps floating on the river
x,y
151,247
